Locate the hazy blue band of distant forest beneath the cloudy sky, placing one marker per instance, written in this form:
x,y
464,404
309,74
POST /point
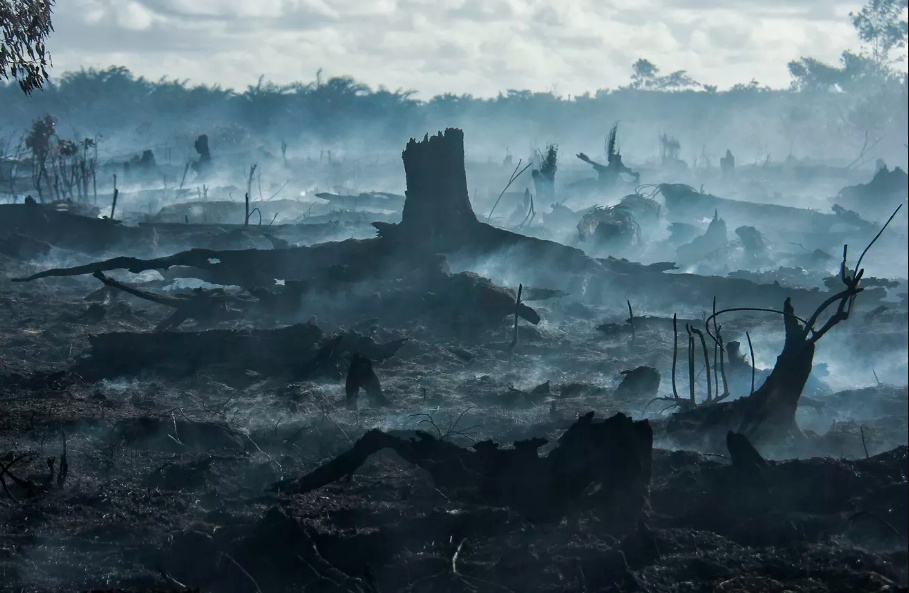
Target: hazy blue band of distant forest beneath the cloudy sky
x,y
830,112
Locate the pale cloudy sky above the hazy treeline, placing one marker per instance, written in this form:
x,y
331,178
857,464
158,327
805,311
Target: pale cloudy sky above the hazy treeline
x,y
461,46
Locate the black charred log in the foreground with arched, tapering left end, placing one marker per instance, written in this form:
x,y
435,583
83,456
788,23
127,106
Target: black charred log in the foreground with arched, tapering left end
x,y
614,454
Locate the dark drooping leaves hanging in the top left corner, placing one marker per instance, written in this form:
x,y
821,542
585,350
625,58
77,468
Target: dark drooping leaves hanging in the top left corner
x,y
24,27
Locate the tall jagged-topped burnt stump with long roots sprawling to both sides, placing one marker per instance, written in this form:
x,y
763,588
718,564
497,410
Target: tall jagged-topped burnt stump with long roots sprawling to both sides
x,y
438,218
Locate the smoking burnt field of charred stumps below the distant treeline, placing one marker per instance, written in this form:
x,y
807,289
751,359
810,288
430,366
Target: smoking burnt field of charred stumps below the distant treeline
x,y
185,397
